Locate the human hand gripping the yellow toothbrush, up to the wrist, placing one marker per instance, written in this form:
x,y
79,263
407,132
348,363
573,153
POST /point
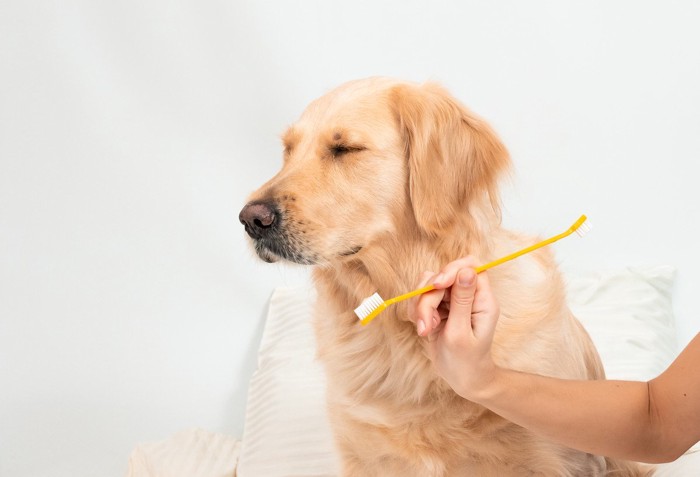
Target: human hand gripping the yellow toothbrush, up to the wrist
x,y
458,319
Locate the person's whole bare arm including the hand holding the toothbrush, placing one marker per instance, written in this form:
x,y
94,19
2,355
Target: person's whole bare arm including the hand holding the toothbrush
x,y
652,422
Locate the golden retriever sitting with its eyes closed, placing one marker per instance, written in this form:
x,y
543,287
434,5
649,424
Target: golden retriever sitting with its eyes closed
x,y
383,180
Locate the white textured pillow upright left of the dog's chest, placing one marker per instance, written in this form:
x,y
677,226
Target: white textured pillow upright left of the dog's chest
x,y
286,426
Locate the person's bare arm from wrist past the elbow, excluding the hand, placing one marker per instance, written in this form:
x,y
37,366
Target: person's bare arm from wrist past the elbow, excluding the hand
x,y
650,422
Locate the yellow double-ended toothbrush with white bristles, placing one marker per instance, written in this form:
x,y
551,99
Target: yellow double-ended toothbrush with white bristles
x,y
373,305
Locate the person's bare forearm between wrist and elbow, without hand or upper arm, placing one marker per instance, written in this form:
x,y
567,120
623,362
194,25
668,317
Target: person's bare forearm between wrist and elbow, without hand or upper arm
x,y
609,418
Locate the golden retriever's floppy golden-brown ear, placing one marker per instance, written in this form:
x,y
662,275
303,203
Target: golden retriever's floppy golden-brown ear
x,y
454,158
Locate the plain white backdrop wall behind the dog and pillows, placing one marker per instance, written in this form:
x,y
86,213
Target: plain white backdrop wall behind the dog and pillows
x,y
132,131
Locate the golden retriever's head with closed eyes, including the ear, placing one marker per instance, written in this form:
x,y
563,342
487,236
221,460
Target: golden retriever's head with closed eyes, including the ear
x,y
373,157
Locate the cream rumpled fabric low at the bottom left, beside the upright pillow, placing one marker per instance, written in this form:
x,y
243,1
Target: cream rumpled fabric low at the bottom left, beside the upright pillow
x,y
190,453
